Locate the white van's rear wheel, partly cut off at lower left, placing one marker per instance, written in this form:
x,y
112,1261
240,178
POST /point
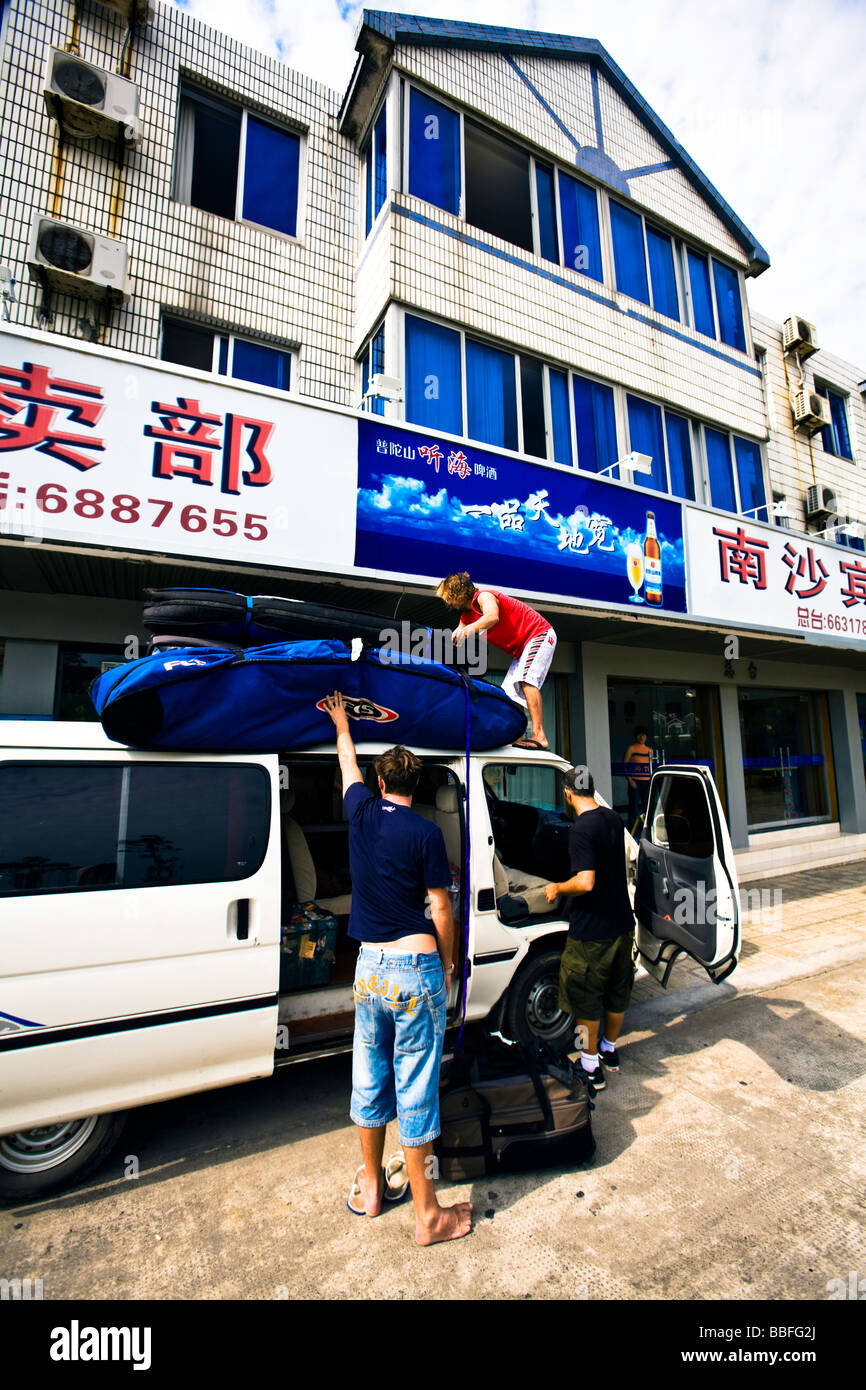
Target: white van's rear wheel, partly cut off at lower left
x,y
42,1160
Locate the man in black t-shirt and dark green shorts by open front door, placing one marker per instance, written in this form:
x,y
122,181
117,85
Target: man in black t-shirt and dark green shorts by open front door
x,y
597,970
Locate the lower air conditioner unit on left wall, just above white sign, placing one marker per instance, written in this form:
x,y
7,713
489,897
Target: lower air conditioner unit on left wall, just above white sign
x,y
77,262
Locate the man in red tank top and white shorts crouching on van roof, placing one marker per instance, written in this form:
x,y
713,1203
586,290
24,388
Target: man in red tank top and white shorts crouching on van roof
x,y
516,629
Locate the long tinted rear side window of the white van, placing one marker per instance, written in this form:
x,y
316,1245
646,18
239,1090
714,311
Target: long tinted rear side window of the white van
x,y
83,826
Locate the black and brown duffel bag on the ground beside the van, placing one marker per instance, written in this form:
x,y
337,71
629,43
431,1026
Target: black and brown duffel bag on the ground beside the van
x,y
512,1109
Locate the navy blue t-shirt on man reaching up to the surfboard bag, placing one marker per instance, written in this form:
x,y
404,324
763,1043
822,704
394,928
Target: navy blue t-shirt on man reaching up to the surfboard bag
x,y
395,857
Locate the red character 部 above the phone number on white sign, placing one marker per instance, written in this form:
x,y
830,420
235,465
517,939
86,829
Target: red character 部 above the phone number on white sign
x,y
190,447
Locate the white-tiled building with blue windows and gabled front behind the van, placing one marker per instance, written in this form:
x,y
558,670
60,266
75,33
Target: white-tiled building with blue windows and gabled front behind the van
x,y
480,201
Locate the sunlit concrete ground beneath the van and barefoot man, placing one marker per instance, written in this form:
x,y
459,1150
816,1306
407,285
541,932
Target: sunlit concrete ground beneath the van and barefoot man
x,y
730,1166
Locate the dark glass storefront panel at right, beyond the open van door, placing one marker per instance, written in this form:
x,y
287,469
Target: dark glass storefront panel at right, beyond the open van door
x,y
783,757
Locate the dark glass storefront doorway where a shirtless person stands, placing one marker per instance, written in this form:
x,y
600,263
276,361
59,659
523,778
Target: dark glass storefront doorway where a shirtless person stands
x,y
682,725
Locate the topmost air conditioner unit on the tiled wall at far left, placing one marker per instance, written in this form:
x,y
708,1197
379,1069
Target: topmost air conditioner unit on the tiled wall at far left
x,y
87,101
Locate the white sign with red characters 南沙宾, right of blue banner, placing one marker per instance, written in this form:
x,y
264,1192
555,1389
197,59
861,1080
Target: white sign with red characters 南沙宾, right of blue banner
x,y
772,579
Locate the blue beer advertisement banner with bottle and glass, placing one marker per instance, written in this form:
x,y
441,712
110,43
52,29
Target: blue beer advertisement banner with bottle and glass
x,y
430,507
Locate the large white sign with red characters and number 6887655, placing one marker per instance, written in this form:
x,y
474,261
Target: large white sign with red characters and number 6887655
x,y
112,452
